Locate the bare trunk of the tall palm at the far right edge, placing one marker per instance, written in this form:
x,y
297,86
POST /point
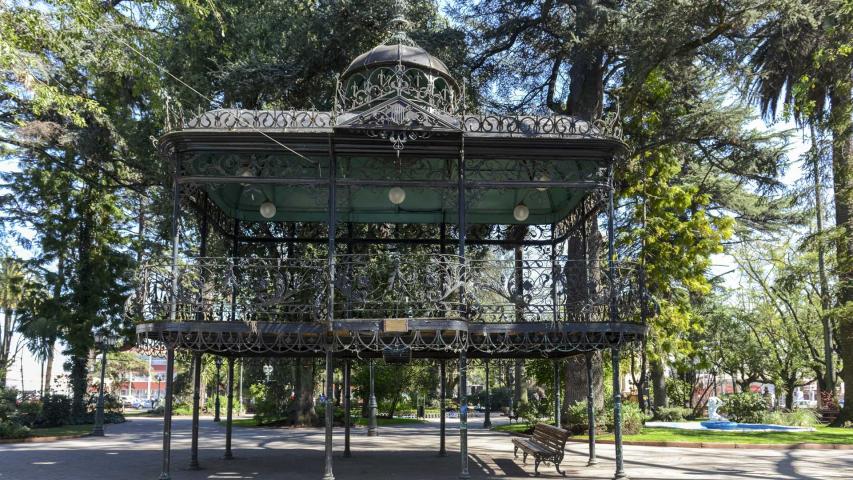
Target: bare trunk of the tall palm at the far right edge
x,y
841,125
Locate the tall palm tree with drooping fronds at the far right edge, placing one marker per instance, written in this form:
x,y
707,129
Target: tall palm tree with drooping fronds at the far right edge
x,y
800,61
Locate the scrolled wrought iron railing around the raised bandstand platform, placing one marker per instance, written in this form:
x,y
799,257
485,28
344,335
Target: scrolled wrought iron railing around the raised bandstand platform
x,y
386,285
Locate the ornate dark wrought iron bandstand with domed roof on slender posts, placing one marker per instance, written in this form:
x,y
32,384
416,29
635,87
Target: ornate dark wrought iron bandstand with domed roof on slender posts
x,y
435,233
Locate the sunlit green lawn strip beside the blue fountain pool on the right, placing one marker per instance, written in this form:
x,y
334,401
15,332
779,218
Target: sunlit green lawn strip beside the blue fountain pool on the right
x,y
821,435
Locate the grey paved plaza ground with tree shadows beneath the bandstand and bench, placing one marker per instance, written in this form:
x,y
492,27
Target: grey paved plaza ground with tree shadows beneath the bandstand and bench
x,y
132,451
